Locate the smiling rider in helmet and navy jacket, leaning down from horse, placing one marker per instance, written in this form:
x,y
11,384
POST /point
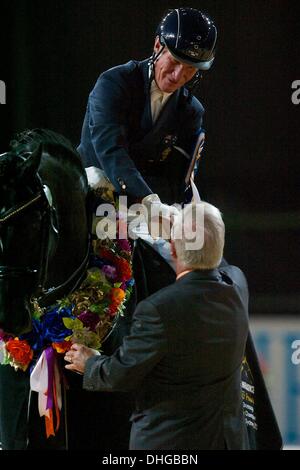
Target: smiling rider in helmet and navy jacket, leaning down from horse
x,y
142,124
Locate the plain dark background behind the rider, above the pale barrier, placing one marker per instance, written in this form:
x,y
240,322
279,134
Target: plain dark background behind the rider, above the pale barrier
x,y
52,53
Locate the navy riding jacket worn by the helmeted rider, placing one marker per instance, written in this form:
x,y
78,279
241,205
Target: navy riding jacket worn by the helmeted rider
x,y
118,134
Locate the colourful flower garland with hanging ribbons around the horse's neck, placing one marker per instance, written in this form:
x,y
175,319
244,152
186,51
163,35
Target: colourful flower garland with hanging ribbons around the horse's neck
x,y
85,316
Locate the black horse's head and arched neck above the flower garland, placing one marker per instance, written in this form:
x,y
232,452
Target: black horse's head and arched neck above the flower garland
x,y
36,178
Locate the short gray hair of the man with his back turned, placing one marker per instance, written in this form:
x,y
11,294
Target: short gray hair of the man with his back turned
x,y
198,234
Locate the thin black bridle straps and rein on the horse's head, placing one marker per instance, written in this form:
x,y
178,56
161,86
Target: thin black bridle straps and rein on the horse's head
x,y
44,297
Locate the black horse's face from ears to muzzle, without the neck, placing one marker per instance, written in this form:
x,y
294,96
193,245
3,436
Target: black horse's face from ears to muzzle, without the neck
x,y
22,209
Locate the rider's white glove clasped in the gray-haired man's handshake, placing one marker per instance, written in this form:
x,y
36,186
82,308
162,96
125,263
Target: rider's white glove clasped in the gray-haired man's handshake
x,y
159,216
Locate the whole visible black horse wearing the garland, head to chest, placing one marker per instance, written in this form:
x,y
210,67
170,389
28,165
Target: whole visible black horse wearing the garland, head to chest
x,y
44,251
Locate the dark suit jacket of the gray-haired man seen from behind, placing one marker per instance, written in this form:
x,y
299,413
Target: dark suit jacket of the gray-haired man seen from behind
x,y
183,359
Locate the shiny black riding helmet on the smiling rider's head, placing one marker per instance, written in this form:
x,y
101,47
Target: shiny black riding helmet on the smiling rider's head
x,y
190,36
